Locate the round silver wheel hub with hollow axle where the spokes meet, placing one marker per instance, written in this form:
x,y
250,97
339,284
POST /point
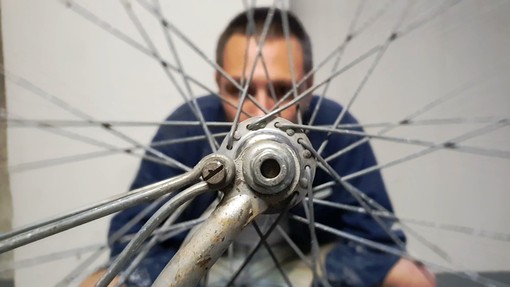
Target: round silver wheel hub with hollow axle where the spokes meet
x,y
271,163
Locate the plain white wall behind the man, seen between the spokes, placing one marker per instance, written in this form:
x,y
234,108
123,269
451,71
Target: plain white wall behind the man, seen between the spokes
x,y
68,56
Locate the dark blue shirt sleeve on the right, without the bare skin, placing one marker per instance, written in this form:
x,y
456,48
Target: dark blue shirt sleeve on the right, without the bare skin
x,y
350,263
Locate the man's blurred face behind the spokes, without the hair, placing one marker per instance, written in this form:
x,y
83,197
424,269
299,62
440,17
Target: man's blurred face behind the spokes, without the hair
x,y
276,56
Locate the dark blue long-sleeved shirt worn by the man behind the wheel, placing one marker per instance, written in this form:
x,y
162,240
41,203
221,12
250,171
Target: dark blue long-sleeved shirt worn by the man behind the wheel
x,y
348,264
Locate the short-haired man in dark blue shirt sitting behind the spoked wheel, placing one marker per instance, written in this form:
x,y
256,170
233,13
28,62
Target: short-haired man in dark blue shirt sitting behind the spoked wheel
x,y
348,263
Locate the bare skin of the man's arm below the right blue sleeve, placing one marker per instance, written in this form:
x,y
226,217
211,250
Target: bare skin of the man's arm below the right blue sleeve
x,y
409,274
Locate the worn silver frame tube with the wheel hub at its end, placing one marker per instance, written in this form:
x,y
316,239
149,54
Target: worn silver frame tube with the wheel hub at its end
x,y
269,168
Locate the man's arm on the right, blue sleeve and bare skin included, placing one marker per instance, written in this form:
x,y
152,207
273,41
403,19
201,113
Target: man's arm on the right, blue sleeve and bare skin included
x,y
350,263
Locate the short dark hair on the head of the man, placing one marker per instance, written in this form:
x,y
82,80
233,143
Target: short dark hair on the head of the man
x,y
240,25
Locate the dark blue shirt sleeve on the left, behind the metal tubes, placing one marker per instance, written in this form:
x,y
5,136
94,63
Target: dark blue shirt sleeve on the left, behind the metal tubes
x,y
150,172
